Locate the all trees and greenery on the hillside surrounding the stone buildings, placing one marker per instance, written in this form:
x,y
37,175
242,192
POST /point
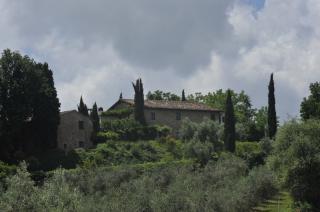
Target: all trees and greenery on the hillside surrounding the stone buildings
x,y
135,167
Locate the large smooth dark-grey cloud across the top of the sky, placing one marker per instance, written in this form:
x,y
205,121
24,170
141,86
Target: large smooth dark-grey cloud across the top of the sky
x,y
153,34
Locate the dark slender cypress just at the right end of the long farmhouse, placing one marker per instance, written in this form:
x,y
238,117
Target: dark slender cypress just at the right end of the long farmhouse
x,y
229,125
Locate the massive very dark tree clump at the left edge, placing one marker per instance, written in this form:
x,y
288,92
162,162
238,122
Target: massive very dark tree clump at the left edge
x,y
29,107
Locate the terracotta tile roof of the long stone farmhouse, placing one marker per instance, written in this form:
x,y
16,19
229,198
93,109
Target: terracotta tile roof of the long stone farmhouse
x,y
181,105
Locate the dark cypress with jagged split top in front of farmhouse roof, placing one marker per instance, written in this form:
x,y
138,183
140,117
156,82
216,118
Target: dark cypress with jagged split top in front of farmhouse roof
x,y
139,102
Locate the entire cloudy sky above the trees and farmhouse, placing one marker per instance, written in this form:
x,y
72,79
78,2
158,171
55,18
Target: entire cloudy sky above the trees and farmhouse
x,y
96,48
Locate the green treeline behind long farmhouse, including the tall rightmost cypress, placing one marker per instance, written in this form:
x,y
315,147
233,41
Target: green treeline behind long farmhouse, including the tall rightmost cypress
x,y
251,124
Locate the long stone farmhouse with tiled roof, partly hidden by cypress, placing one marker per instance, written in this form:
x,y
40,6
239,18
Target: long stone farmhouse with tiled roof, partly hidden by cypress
x,y
171,113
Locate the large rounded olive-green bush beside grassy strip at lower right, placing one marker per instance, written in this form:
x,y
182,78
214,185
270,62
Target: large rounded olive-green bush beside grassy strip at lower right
x,y
296,160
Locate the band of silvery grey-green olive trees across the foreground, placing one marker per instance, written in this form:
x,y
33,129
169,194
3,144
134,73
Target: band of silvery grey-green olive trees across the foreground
x,y
224,185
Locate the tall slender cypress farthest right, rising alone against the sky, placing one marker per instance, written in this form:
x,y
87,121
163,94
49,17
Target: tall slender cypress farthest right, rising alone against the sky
x,y
272,116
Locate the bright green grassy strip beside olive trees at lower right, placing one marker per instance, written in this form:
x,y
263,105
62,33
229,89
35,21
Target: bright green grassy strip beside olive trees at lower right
x,y
280,203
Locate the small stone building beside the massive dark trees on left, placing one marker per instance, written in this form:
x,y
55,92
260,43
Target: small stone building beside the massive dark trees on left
x,y
74,131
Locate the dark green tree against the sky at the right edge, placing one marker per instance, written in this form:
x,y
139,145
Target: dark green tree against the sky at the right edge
x,y
310,107
